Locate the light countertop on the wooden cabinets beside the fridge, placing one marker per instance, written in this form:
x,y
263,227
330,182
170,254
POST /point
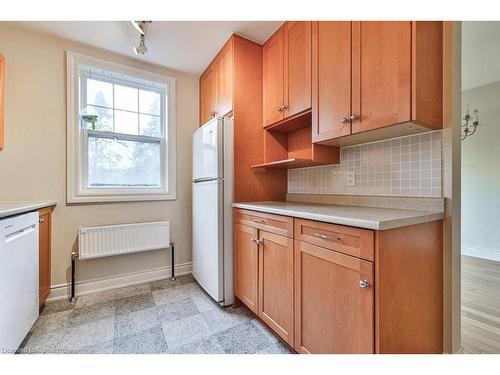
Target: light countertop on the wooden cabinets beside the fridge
x,y
355,216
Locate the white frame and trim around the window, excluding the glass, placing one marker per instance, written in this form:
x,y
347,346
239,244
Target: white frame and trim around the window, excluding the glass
x,y
77,187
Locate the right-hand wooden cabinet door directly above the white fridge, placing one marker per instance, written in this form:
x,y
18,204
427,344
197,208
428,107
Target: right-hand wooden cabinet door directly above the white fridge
x,y
225,80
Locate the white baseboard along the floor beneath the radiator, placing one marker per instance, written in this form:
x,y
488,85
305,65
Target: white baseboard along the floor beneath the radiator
x,y
62,291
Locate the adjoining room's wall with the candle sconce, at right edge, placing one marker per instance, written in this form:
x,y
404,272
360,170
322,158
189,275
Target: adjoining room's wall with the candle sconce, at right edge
x,y
481,175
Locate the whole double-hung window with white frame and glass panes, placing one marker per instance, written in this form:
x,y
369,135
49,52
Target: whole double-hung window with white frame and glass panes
x,y
126,152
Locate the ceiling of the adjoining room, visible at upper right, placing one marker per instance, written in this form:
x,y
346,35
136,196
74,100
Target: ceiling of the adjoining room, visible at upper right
x,y
480,53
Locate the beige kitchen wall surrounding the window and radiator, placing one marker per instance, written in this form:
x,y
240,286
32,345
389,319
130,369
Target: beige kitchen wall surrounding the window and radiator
x,y
33,164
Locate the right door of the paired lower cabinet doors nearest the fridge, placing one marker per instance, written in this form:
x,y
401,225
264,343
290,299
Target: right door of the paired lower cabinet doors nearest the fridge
x,y
276,284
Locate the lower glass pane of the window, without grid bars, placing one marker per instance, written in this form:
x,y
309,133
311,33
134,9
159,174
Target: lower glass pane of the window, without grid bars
x,y
119,163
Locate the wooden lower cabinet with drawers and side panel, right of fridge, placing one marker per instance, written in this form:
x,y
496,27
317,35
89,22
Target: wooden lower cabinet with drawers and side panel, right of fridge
x,y
327,288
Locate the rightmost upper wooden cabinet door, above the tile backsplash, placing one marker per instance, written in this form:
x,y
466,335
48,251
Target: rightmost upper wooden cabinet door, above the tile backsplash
x,y
381,76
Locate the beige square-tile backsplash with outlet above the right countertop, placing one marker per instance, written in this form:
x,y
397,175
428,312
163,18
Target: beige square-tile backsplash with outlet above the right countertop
x,y
407,166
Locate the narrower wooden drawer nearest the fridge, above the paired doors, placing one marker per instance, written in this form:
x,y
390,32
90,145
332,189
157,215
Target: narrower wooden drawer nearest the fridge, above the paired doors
x,y
271,223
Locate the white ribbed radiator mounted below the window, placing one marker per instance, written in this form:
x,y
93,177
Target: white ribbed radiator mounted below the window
x,y
107,240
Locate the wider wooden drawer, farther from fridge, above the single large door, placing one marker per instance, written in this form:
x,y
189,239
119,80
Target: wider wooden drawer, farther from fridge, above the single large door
x,y
352,241
